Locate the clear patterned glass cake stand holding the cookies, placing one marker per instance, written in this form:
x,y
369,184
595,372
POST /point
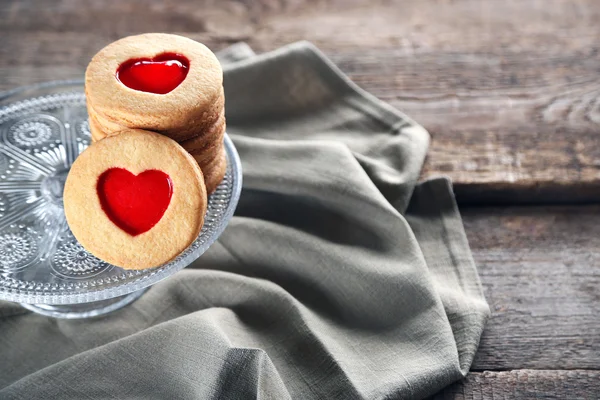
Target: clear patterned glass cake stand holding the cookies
x,y
42,266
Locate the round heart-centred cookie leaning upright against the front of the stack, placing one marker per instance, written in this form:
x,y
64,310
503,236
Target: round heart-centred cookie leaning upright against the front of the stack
x,y
135,200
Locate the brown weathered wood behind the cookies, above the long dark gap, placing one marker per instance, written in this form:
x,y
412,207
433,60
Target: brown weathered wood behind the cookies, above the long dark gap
x,y
508,89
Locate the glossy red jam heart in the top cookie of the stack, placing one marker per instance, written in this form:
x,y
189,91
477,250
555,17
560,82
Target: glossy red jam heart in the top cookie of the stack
x,y
159,75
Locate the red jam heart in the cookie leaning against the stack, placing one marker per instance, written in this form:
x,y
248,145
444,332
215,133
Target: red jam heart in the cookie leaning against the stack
x,y
135,203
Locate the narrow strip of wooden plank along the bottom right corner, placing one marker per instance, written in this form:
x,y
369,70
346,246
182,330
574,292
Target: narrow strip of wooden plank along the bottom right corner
x,y
525,384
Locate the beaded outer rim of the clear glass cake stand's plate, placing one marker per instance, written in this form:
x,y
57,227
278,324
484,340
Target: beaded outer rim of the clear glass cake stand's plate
x,y
155,275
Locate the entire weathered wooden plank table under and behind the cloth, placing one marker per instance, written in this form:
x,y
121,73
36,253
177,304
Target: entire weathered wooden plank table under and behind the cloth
x,y
509,90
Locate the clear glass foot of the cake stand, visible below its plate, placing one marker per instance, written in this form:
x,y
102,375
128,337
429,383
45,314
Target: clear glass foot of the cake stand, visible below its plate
x,y
84,310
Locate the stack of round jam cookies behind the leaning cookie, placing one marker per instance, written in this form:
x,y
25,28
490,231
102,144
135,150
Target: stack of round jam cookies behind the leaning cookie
x,y
162,83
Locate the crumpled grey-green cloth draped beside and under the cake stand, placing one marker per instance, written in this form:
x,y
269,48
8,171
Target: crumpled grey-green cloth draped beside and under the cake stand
x,y
339,277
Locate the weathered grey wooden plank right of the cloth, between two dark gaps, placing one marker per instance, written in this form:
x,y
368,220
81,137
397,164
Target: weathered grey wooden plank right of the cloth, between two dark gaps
x,y
540,269
